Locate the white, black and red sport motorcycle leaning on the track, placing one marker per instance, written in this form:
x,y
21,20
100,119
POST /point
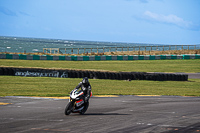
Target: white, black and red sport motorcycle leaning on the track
x,y
76,103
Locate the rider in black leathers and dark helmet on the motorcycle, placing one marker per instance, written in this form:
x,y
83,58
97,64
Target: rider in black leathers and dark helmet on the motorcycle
x,y
86,88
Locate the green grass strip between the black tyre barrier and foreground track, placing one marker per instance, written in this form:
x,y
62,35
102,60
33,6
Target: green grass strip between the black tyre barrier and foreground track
x,y
37,86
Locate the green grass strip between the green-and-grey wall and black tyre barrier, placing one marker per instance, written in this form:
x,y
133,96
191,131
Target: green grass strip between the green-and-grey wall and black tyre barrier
x,y
189,66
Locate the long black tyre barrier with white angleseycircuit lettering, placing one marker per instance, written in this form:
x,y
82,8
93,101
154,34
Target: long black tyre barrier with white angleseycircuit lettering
x,y
39,72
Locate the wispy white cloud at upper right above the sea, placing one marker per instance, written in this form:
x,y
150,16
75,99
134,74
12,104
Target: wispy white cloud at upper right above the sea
x,y
170,19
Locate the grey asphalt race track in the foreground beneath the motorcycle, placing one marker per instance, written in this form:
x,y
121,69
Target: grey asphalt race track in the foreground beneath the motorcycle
x,y
139,114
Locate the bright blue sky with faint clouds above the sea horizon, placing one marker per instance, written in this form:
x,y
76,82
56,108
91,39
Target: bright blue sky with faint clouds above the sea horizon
x,y
131,21
